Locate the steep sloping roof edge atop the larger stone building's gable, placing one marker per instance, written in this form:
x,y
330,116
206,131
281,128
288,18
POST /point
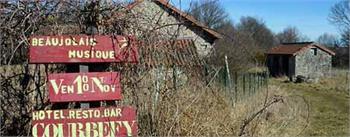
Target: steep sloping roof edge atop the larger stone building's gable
x,y
182,14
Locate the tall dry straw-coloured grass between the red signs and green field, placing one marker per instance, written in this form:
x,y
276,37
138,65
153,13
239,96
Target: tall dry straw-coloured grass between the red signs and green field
x,y
195,111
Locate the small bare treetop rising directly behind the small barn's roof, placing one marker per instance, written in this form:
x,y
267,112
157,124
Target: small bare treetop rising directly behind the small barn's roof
x,y
290,34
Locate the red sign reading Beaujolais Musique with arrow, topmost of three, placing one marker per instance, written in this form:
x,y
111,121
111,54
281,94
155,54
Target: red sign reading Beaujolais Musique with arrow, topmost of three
x,y
82,48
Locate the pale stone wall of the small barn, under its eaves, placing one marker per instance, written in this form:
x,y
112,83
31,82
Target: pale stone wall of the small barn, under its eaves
x,y
313,66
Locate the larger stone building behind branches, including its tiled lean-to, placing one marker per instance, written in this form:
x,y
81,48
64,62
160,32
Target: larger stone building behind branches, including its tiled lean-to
x,y
173,43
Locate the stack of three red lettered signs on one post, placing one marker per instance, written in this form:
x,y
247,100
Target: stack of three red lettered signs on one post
x,y
88,88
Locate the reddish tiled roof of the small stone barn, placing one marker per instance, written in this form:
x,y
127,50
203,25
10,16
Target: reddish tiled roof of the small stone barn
x,y
295,48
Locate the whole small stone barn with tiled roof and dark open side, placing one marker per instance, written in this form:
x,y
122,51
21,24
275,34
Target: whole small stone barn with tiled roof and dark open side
x,y
306,59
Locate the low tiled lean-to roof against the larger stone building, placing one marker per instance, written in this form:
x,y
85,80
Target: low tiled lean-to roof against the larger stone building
x,y
169,53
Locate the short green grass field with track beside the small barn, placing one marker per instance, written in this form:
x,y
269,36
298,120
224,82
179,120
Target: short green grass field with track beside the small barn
x,y
329,103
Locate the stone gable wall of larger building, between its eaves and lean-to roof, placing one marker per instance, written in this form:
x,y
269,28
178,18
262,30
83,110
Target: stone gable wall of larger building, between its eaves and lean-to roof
x,y
151,16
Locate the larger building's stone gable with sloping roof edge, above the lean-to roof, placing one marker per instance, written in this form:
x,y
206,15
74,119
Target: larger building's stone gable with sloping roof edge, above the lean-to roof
x,y
169,22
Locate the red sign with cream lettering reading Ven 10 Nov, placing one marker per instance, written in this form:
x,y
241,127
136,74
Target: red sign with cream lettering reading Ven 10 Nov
x,y
84,86
